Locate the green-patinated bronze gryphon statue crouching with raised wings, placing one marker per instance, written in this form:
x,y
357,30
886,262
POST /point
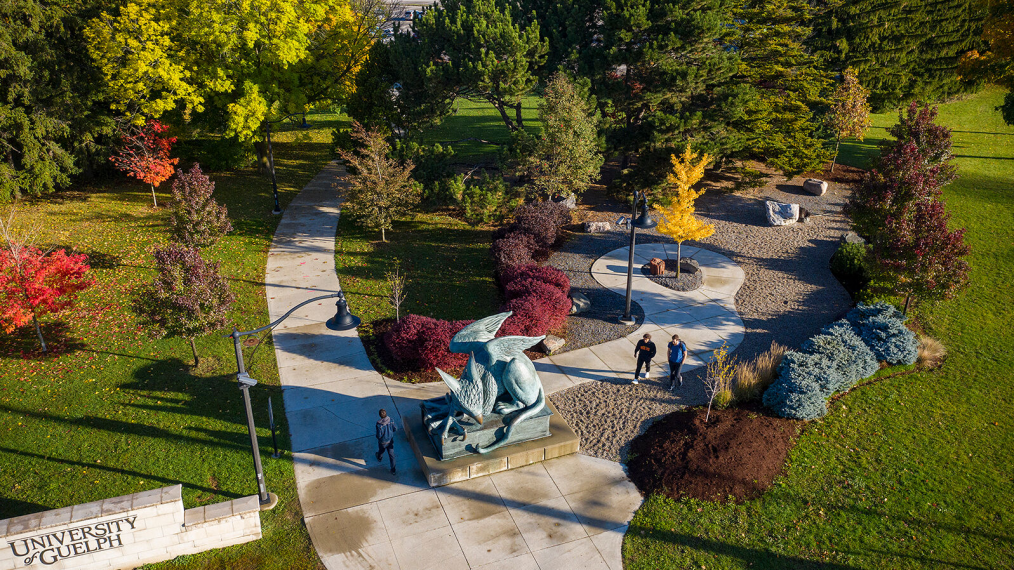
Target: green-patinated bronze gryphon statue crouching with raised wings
x,y
499,378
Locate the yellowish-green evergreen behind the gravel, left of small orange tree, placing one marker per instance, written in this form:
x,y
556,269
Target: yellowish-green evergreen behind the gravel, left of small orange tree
x,y
781,126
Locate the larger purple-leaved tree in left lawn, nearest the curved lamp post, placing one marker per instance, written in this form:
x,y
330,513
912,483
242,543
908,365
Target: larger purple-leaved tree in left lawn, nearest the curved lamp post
x,y
189,298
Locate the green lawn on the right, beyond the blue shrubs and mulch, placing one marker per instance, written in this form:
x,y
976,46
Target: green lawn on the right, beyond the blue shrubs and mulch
x,y
913,472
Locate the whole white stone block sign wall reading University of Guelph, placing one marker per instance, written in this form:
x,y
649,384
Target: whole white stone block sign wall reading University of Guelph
x,y
125,532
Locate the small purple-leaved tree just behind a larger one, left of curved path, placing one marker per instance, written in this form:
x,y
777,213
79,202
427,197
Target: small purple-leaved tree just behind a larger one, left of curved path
x,y
197,220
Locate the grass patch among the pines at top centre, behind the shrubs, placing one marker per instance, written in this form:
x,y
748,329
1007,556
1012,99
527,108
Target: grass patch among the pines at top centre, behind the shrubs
x,y
479,120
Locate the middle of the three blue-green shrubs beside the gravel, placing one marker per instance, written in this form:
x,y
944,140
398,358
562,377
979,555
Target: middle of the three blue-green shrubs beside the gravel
x,y
846,352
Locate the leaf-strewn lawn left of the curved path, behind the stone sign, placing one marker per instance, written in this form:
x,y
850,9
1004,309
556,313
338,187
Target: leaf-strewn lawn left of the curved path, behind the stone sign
x,y
115,412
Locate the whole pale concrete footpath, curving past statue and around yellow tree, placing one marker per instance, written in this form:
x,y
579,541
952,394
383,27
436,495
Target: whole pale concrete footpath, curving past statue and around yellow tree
x,y
569,513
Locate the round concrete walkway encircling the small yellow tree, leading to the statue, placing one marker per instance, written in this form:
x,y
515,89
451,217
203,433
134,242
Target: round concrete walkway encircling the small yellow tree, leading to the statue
x,y
704,319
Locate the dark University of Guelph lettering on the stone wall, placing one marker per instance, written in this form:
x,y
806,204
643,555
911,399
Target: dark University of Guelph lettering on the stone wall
x,y
53,547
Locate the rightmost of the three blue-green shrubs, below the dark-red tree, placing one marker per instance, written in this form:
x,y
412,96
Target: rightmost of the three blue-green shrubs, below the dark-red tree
x,y
883,329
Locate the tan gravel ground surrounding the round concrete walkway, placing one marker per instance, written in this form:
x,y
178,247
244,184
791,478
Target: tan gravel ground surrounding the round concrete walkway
x,y
789,295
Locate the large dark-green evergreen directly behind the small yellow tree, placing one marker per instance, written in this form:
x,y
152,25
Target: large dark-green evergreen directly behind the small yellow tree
x,y
665,77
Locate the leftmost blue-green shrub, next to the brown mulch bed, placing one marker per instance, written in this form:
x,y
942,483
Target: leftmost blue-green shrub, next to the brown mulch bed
x,y
799,392
